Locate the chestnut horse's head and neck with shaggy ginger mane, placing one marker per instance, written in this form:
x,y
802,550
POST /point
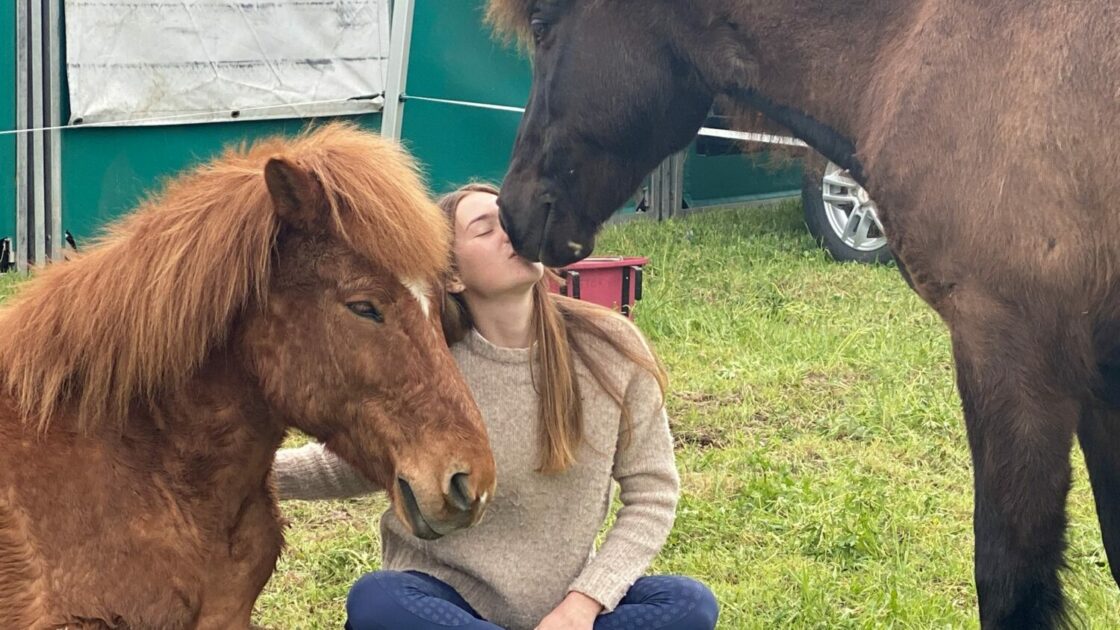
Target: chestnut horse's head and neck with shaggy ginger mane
x,y
319,288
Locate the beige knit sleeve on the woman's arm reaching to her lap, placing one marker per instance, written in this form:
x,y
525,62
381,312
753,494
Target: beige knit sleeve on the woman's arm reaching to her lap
x,y
647,474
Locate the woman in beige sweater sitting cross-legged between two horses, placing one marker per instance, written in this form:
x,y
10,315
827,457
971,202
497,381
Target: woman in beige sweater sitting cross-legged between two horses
x,y
573,400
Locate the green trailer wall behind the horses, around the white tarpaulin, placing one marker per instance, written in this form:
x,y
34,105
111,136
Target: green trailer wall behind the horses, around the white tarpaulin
x,y
453,97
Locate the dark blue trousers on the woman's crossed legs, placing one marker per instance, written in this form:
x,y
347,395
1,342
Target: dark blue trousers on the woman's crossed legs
x,y
393,600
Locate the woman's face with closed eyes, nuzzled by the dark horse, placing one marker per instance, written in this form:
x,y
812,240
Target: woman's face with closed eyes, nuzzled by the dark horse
x,y
488,265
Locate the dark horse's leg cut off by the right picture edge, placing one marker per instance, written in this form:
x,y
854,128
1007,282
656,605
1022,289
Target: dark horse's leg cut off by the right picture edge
x,y
1099,436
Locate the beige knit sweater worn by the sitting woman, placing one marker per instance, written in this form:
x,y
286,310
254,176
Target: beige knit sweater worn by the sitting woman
x,y
537,540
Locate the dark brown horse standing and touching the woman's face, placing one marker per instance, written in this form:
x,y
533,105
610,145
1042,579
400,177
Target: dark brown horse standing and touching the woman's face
x,y
988,134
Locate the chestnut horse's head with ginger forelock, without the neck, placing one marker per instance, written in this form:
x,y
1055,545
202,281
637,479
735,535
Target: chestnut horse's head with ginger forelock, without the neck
x,y
348,345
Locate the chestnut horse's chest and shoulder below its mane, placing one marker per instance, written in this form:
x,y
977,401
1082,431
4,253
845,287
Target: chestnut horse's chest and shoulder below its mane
x,y
182,503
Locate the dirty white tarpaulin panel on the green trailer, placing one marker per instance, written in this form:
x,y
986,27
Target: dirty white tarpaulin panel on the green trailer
x,y
161,62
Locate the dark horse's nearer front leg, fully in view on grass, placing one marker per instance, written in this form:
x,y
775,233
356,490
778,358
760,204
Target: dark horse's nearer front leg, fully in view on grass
x,y
1021,422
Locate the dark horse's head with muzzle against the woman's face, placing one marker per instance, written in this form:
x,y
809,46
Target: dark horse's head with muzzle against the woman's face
x,y
611,99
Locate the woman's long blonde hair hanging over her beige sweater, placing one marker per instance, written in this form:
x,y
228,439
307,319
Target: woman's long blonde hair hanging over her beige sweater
x,y
562,329
